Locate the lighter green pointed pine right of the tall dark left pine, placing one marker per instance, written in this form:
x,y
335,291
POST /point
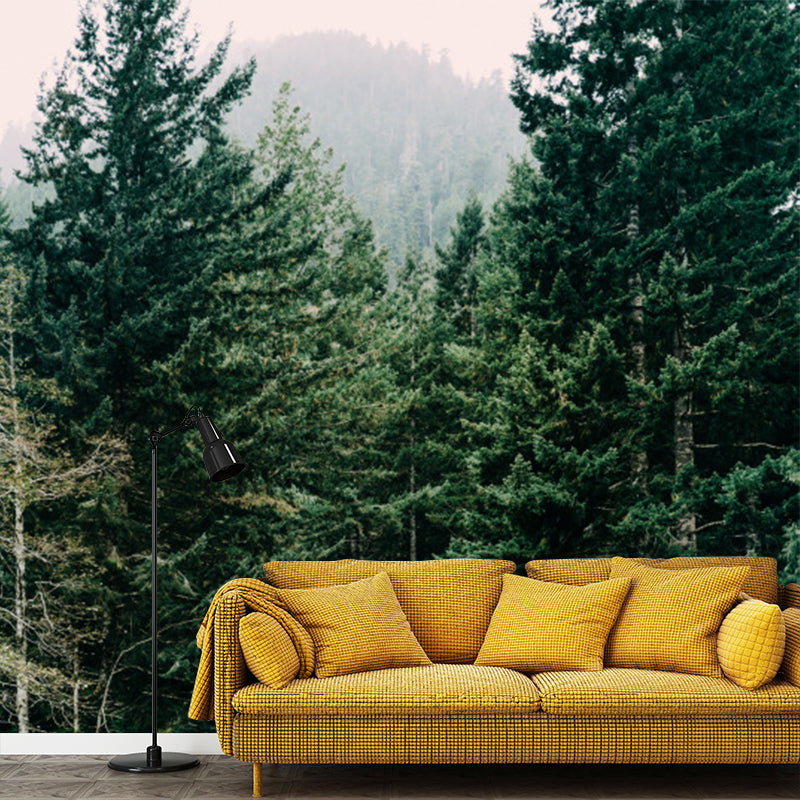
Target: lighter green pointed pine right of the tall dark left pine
x,y
294,336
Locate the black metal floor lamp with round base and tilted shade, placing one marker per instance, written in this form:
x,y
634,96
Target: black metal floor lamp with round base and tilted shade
x,y
222,461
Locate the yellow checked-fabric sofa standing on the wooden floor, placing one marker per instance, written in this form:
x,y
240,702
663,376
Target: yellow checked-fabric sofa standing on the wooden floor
x,y
452,710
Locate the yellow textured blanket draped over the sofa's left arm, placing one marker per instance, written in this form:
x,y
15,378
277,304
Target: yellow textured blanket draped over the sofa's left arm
x,y
257,596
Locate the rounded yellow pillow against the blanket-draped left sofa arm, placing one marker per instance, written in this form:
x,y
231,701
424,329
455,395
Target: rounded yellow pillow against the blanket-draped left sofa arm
x,y
269,652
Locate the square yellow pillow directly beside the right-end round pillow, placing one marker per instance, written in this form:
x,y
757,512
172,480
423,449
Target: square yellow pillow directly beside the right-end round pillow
x,y
670,618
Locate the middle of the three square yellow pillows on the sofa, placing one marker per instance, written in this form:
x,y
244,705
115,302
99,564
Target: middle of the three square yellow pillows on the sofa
x,y
545,627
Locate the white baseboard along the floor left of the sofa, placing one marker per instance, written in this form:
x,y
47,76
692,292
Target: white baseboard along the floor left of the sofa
x,y
106,743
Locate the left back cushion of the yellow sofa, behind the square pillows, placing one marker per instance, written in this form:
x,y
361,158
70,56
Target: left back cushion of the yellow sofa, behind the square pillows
x,y
447,602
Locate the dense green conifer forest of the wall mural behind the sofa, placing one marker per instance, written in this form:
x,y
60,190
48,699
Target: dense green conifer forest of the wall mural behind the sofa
x,y
601,360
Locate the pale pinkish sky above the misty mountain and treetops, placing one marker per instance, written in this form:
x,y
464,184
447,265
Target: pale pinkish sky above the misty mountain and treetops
x,y
479,35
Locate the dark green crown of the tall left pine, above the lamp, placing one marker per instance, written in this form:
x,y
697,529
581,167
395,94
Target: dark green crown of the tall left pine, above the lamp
x,y
119,253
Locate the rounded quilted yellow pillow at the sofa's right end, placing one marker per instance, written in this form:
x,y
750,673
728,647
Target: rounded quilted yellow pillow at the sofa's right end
x,y
750,643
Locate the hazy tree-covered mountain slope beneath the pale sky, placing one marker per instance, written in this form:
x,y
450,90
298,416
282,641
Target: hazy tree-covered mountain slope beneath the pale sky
x,y
415,137
